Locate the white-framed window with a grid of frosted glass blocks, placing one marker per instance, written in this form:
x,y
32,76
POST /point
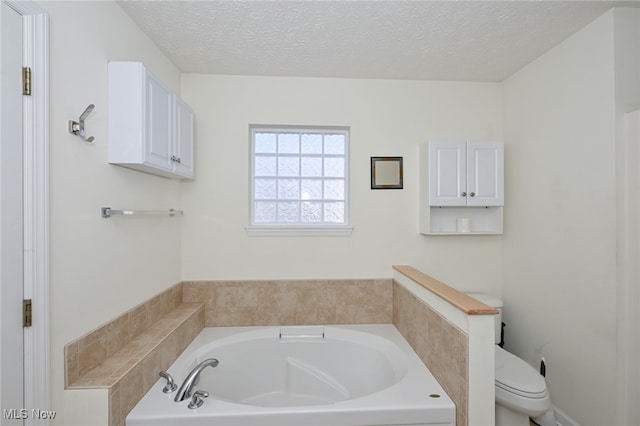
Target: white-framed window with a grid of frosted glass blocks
x,y
299,180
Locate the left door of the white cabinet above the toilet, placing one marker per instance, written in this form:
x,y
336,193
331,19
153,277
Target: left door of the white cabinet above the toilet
x,y
447,173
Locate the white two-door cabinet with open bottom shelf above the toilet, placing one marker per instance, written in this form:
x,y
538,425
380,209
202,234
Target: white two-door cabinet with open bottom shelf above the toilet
x,y
461,187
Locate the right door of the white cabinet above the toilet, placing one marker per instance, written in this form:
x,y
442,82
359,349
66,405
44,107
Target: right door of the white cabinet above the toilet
x,y
485,174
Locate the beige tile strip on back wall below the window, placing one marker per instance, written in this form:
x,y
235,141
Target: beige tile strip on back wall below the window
x,y
292,302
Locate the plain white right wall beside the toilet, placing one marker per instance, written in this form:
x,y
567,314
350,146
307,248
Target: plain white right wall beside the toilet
x,y
560,251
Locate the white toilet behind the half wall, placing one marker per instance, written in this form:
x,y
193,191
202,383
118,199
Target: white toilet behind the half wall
x,y
521,391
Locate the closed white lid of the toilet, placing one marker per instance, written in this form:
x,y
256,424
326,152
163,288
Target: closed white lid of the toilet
x,y
516,376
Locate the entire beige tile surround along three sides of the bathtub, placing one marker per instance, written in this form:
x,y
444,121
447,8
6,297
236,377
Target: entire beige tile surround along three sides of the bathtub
x,y
103,358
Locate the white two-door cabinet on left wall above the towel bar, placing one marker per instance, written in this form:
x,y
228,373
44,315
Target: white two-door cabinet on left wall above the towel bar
x,y
150,127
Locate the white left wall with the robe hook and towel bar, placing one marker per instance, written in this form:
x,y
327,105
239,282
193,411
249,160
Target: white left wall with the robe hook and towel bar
x,y
99,268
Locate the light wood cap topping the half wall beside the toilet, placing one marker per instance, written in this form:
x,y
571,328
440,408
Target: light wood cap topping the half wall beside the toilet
x,y
456,298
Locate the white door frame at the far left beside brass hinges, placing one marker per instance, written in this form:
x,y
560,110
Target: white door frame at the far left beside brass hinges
x,y
36,206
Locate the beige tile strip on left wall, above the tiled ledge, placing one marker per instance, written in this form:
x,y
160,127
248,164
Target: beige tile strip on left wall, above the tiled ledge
x,y
84,354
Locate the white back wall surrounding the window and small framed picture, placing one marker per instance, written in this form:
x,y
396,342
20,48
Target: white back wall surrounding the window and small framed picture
x,y
387,118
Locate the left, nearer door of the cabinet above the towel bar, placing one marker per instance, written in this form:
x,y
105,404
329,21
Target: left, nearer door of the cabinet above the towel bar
x,y
158,124
